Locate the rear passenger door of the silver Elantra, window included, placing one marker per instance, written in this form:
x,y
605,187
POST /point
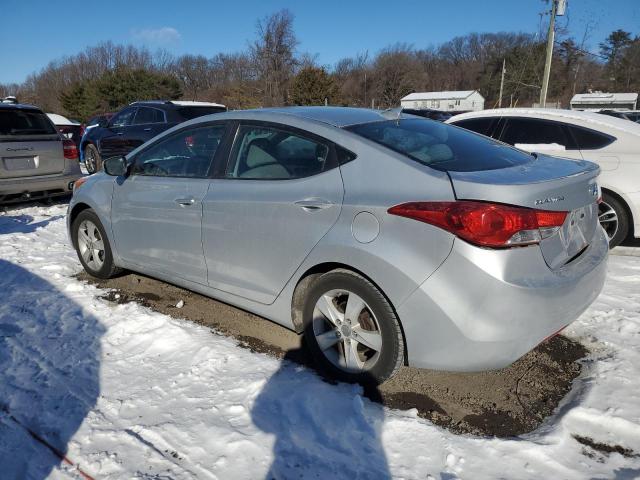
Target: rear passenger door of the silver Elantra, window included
x,y
281,193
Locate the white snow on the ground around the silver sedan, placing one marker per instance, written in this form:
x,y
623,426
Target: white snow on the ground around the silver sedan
x,y
130,393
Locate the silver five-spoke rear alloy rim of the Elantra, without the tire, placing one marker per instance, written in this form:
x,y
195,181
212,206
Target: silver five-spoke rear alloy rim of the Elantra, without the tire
x,y
347,331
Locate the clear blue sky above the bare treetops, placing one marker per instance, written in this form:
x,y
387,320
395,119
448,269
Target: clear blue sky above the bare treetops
x,y
34,32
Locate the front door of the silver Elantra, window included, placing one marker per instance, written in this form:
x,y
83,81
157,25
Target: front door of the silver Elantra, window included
x,y
157,209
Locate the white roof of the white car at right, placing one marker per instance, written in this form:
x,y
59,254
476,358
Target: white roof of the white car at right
x,y
596,121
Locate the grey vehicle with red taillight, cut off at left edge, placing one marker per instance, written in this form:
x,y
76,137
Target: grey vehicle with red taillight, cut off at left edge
x,y
35,161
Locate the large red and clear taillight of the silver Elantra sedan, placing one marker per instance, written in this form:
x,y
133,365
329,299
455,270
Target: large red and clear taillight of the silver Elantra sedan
x,y
486,224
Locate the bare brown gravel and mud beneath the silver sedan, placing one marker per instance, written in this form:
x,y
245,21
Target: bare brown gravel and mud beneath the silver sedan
x,y
503,403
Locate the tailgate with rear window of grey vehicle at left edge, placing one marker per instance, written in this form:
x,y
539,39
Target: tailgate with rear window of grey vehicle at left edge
x,y
29,144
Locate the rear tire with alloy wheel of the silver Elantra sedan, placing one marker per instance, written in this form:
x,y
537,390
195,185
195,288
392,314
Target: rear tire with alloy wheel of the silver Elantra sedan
x,y
364,345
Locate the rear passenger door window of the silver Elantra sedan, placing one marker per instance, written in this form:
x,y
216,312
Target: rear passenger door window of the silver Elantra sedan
x,y
272,154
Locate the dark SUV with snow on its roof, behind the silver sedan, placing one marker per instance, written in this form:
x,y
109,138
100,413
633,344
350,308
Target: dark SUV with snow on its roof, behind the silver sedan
x,y
134,125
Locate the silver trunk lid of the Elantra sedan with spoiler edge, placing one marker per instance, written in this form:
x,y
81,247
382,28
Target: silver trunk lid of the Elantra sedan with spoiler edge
x,y
545,183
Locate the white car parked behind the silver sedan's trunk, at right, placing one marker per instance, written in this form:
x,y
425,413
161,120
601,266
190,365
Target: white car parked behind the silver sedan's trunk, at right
x,y
612,143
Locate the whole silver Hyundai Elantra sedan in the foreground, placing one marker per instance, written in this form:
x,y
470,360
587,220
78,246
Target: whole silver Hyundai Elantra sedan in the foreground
x,y
386,239
